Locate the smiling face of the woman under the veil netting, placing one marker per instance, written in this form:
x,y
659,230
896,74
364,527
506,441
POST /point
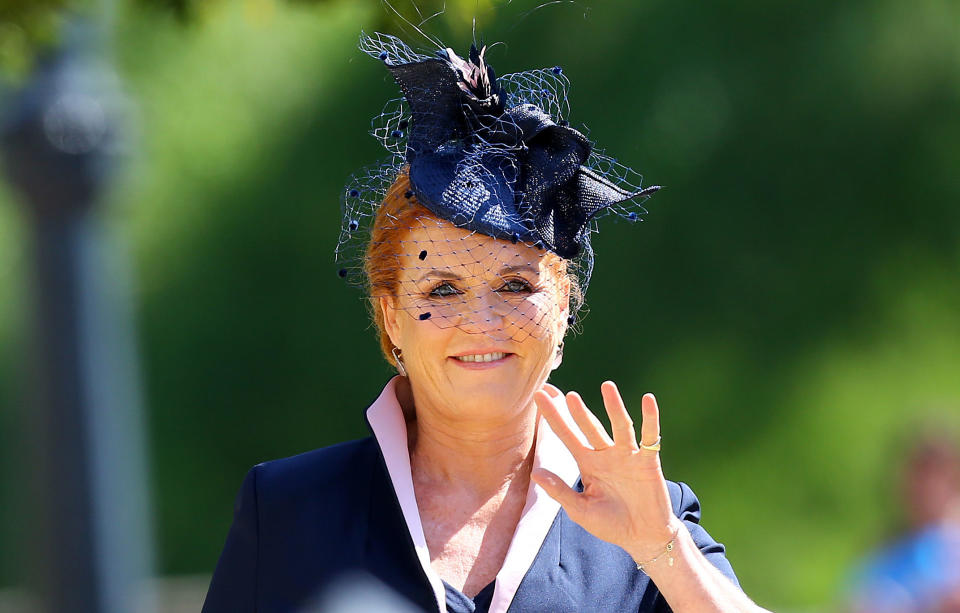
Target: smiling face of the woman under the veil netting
x,y
477,319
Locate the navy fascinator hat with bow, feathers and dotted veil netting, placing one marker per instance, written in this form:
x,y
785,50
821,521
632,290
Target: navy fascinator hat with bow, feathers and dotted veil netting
x,y
492,155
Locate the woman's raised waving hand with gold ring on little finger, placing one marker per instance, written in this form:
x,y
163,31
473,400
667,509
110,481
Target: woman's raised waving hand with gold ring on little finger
x,y
625,499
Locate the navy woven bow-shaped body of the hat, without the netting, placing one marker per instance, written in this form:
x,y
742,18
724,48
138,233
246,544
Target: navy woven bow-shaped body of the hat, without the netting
x,y
510,173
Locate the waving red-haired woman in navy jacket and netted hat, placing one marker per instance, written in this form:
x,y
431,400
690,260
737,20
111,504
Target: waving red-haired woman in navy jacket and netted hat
x,y
483,487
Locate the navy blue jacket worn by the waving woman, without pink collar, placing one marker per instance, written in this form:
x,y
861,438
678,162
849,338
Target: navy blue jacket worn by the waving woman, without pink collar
x,y
300,523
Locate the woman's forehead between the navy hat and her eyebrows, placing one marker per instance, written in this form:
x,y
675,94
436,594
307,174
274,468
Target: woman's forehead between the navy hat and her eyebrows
x,y
432,243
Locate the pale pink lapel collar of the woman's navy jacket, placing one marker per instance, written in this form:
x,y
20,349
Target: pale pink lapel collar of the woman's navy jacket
x,y
390,429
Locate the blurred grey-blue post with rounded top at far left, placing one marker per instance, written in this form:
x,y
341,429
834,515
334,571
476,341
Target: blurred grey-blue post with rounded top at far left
x,y
90,513
